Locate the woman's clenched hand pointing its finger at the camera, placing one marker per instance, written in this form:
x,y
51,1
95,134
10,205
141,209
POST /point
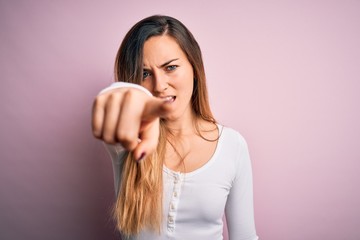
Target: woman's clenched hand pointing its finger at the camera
x,y
130,117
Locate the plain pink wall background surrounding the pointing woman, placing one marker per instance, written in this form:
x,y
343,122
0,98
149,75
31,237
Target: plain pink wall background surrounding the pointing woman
x,y
285,74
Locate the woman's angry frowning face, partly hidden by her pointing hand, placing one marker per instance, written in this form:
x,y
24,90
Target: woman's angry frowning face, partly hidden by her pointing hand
x,y
168,73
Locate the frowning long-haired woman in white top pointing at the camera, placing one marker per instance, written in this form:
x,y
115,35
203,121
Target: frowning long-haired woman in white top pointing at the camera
x,y
176,170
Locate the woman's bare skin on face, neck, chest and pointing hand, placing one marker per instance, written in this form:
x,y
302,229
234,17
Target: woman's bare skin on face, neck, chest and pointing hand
x,y
124,115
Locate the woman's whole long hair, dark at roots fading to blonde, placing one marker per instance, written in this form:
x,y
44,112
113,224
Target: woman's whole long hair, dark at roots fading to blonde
x,y
139,202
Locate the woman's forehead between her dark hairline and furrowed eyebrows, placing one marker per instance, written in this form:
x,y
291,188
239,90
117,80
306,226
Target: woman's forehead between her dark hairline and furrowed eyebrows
x,y
159,49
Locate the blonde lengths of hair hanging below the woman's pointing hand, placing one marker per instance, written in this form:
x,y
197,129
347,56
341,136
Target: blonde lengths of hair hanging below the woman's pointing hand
x,y
139,201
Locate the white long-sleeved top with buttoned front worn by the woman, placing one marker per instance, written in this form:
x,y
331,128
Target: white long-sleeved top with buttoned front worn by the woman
x,y
194,203
